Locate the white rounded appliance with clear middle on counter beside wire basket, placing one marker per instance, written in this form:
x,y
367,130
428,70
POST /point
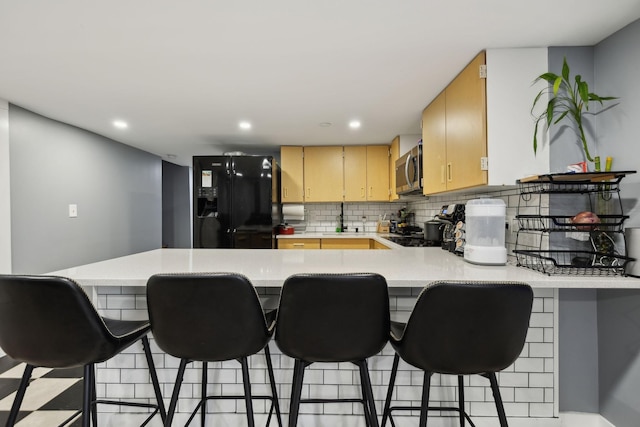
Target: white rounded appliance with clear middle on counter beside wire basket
x,y
485,232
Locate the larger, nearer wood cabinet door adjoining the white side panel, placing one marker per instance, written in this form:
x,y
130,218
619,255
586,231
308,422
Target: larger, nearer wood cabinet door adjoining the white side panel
x,y
466,132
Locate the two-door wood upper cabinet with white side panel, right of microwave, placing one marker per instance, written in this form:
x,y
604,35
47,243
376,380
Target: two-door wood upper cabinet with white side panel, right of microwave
x,y
486,120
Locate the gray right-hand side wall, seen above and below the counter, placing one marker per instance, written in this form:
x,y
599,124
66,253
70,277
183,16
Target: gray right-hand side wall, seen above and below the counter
x,y
617,60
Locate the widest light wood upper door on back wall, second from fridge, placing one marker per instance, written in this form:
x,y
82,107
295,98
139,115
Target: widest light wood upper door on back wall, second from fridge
x,y
323,176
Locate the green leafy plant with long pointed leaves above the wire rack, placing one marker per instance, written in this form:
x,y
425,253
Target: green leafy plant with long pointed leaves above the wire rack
x,y
567,98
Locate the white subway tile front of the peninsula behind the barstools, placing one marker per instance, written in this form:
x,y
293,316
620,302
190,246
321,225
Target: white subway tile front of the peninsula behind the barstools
x,y
528,382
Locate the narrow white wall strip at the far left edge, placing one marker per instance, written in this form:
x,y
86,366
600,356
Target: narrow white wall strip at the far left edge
x,y
5,191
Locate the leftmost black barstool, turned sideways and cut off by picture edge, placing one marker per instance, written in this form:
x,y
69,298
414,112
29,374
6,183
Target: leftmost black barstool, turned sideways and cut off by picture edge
x,y
49,322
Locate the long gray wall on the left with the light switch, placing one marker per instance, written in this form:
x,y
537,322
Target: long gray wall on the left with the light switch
x,y
117,189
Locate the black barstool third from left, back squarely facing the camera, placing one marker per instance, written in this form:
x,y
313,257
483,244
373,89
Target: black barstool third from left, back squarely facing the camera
x,y
333,318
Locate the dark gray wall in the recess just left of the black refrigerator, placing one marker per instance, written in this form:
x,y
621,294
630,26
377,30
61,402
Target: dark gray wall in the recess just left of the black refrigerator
x,y
176,206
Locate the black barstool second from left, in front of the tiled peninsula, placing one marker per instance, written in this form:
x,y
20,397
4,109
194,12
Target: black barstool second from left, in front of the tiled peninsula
x,y
211,318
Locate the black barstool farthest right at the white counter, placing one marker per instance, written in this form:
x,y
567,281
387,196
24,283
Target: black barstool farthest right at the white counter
x,y
462,328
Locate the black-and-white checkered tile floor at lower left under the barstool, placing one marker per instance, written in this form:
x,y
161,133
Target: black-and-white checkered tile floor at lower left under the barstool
x,y
53,395
